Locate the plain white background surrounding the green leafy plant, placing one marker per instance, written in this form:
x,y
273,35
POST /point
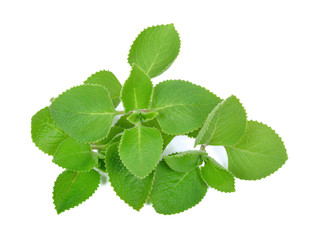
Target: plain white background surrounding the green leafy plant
x,y
267,53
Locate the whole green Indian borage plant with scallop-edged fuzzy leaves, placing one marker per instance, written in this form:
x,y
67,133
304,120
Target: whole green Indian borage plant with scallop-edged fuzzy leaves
x,y
77,130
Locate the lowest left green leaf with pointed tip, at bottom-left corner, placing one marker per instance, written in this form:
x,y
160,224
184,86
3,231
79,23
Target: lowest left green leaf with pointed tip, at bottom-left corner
x,y
73,188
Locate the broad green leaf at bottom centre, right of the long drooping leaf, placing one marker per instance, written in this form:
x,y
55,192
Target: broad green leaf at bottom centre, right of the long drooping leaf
x,y
175,192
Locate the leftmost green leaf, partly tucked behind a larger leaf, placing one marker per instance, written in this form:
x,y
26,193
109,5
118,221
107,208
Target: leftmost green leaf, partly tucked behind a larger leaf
x,y
45,133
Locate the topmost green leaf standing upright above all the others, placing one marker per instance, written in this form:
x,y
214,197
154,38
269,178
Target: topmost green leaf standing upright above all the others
x,y
155,49
